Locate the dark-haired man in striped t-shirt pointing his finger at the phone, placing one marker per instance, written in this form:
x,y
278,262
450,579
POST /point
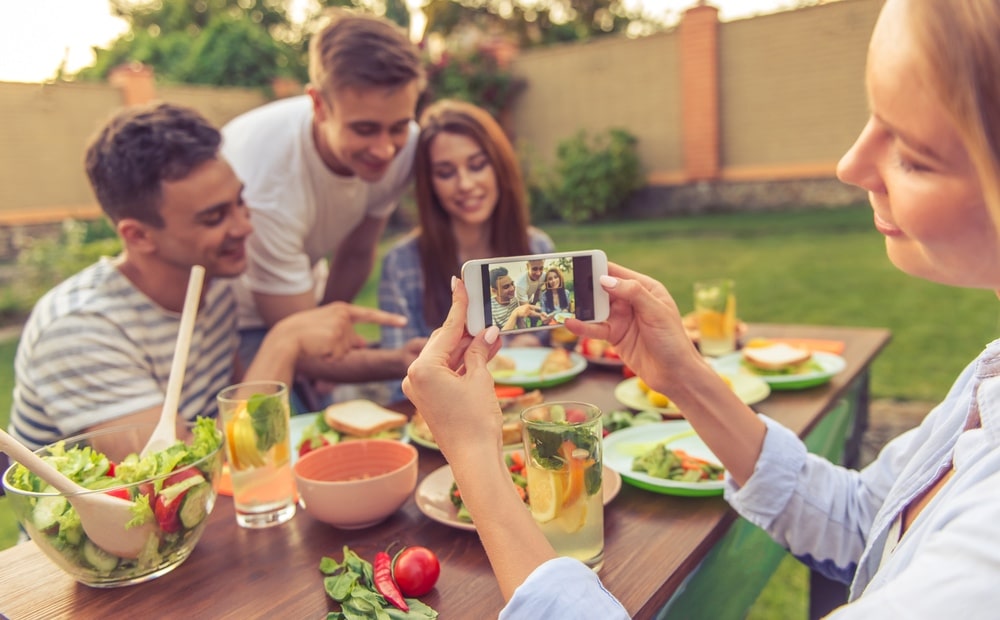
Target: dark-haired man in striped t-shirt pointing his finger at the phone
x,y
98,348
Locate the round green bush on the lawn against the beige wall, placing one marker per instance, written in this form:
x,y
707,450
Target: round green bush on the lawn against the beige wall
x,y
594,176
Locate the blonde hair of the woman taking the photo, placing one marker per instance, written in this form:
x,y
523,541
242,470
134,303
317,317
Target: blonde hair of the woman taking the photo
x,y
959,46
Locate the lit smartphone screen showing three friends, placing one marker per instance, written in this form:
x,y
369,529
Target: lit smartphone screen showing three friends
x,y
559,287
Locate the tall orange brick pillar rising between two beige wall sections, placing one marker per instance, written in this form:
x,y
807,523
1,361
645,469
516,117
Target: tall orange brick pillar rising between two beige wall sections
x,y
699,56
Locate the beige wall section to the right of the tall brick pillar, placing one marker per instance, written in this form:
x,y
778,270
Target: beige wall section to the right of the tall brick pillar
x,y
792,86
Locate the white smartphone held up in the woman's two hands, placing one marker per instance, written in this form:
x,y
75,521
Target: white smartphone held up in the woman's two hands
x,y
537,291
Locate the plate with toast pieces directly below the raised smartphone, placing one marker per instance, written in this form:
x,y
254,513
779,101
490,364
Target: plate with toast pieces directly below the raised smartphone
x,y
535,367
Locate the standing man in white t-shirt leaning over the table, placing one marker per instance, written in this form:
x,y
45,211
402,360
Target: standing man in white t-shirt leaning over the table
x,y
322,174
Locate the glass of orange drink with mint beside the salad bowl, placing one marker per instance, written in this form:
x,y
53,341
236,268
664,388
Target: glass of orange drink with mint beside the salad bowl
x,y
254,419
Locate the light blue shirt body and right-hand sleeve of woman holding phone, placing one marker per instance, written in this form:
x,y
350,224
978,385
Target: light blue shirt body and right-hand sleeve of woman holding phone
x,y
837,520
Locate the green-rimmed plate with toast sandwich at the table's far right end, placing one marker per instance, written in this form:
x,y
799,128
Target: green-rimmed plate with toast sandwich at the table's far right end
x,y
782,366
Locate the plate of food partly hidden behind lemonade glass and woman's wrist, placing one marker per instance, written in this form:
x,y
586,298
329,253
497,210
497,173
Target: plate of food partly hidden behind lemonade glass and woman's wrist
x,y
436,494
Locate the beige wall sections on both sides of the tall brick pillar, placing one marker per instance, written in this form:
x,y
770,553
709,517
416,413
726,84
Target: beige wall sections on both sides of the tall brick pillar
x,y
791,89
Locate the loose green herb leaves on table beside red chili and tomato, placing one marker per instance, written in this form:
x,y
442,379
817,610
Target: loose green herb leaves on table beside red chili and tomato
x,y
352,584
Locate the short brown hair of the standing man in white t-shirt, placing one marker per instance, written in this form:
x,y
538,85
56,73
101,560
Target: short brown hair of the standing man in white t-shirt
x,y
362,51
